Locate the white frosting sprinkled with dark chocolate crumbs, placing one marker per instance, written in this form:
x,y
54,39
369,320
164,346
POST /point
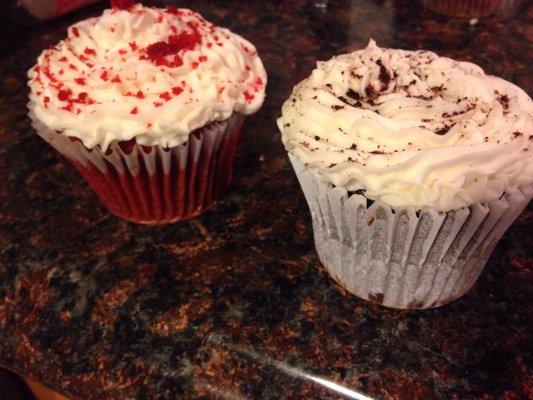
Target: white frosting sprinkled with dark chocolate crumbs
x,y
411,128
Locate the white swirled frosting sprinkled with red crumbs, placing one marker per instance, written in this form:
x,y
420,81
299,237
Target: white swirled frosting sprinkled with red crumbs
x,y
153,75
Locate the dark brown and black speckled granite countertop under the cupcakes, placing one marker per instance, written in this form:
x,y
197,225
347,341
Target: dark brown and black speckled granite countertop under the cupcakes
x,y
234,304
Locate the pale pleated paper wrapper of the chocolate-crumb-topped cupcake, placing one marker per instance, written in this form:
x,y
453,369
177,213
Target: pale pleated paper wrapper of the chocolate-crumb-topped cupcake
x,y
404,258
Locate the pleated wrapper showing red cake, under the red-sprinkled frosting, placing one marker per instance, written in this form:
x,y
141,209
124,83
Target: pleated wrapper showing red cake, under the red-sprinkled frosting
x,y
156,185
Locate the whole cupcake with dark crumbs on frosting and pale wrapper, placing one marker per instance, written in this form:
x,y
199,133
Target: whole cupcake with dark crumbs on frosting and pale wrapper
x,y
413,166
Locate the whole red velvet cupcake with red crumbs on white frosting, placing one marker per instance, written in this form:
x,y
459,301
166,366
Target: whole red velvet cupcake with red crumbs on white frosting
x,y
148,104
